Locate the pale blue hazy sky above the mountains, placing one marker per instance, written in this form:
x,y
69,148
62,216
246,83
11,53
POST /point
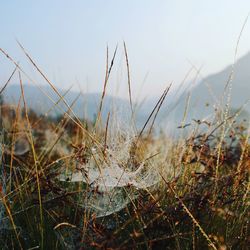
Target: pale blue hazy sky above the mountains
x,y
68,39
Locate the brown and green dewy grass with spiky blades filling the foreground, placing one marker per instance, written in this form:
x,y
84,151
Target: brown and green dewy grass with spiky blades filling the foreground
x,y
200,199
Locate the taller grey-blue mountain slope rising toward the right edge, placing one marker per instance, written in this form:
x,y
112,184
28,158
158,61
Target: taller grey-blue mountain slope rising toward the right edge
x,y
208,93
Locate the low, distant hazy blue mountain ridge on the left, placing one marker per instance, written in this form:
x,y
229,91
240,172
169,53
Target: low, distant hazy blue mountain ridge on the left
x,y
86,105
